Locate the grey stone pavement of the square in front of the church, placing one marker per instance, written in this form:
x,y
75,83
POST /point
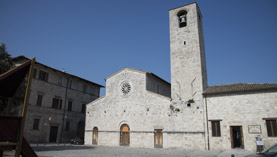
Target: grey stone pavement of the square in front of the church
x,y
104,151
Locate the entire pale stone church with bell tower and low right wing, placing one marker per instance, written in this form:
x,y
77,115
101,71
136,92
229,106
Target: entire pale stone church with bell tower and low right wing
x,y
142,110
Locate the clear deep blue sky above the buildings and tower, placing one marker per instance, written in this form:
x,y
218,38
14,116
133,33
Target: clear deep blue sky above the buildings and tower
x,y
95,38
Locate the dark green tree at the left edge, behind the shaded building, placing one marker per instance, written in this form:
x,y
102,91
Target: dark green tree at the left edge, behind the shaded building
x,y
6,62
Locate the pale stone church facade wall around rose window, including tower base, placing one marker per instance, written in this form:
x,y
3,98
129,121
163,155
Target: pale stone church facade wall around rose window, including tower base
x,y
143,111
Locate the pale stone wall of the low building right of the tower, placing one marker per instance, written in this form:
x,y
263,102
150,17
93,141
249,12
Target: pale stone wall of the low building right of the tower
x,y
241,110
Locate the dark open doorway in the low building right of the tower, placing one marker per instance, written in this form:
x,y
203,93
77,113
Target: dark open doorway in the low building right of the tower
x,y
236,137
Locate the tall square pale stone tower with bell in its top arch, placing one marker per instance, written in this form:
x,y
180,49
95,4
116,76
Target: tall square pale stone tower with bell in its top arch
x,y
187,55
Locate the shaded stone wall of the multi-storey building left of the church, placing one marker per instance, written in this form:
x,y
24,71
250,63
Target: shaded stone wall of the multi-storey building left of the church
x,y
49,116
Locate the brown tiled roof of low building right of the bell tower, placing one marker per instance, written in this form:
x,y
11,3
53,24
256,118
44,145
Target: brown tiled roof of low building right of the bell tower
x,y
239,88
